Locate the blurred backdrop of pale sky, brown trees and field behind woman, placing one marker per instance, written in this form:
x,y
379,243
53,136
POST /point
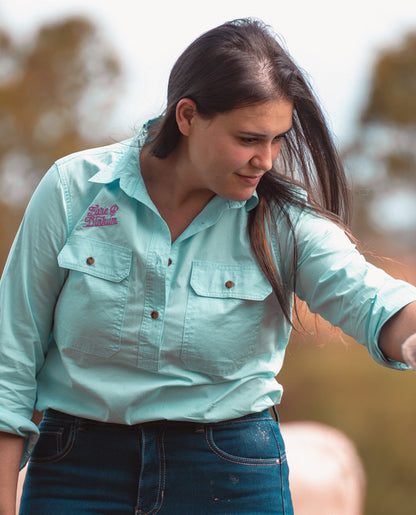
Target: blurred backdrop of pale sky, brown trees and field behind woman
x,y
76,74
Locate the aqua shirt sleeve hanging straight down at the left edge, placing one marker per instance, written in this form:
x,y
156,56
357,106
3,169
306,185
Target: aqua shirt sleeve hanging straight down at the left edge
x,y
29,289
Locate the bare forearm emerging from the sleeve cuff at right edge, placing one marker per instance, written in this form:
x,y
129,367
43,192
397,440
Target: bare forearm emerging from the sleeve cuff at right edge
x,y
396,330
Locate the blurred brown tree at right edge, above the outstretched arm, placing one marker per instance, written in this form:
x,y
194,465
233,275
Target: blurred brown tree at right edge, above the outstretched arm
x,y
382,158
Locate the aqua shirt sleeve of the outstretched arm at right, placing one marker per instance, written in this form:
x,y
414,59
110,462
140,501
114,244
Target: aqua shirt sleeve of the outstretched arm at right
x,y
339,284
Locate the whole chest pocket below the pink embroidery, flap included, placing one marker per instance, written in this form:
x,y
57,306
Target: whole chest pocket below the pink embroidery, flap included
x,y
90,310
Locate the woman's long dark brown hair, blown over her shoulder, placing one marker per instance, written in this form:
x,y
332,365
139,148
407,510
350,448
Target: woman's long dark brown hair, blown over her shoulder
x,y
241,63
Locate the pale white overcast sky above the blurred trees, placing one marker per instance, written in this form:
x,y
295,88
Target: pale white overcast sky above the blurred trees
x,y
335,42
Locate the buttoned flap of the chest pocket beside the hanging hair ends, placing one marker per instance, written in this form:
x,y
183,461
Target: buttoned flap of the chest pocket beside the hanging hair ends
x,y
233,281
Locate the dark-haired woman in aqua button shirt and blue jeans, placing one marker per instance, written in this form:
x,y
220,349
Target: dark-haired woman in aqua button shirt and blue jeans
x,y
146,303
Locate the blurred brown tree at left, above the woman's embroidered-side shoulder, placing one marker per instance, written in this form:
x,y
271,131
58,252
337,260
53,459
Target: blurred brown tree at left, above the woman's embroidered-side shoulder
x,y
55,97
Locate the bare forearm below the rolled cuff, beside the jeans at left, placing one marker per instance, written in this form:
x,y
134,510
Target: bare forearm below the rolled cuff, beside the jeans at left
x,y
11,450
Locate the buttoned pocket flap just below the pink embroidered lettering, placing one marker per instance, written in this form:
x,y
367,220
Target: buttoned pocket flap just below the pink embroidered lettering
x,y
94,257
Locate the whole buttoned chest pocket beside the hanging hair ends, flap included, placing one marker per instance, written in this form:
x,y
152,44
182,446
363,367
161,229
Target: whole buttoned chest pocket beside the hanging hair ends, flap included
x,y
223,315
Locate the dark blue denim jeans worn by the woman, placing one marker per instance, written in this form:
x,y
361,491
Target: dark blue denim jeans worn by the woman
x,y
82,467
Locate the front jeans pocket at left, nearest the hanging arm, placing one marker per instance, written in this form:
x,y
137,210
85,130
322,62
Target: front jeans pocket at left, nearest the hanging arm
x,y
55,441
